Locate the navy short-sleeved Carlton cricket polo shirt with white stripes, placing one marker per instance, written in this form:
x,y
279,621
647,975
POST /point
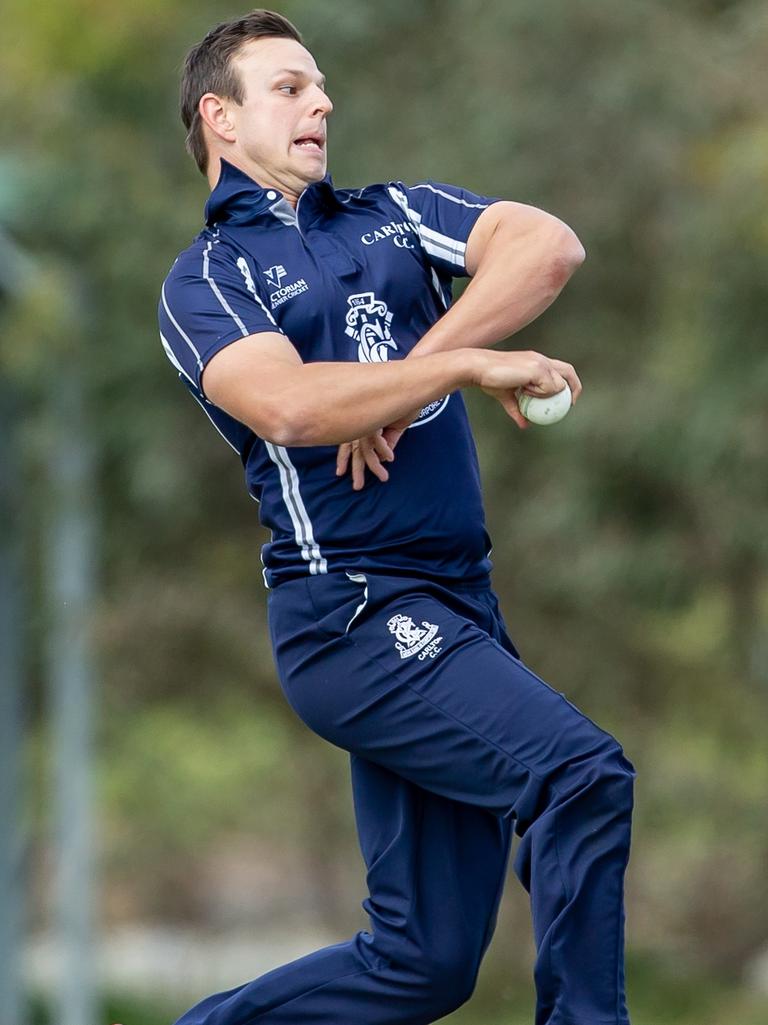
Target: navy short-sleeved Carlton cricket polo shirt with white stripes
x,y
349,275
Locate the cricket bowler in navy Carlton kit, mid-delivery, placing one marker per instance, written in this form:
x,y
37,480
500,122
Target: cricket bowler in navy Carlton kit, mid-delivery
x,y
315,329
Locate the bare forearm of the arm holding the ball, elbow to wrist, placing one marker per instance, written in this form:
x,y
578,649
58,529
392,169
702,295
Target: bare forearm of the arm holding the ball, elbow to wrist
x,y
331,403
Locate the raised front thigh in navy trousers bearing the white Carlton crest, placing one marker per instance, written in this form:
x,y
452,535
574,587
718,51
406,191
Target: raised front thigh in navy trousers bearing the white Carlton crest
x,y
412,680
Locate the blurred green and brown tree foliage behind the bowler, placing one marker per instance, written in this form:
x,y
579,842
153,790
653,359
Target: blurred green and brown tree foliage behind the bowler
x,y
630,544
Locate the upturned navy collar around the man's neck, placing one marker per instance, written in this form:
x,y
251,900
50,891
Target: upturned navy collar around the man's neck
x,y
237,199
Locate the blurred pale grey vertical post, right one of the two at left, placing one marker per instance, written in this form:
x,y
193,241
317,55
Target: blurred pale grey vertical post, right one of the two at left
x,y
71,594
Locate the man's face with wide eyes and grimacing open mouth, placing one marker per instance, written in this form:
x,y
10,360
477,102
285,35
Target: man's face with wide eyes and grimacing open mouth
x,y
281,126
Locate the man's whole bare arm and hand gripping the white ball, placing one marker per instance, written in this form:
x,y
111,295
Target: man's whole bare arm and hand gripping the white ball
x,y
262,382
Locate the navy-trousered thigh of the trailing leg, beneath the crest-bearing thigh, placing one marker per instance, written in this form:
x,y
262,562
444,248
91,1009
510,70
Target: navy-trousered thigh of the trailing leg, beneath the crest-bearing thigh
x,y
436,868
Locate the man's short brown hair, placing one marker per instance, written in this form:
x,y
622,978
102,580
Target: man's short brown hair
x,y
208,68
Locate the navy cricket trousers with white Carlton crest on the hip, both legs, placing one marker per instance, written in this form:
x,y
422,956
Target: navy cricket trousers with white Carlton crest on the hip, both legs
x,y
455,744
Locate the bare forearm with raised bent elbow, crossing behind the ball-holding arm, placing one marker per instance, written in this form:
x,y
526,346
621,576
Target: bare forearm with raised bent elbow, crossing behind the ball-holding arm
x,y
519,276
